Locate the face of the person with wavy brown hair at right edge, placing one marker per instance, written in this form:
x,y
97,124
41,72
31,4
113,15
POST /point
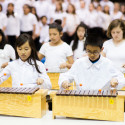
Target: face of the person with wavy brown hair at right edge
x,y
117,34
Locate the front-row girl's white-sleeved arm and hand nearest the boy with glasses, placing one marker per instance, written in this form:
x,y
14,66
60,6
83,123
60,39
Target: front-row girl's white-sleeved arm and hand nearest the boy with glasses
x,y
43,77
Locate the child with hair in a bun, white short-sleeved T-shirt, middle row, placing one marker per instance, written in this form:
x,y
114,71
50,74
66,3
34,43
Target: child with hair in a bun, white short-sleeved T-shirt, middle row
x,y
56,51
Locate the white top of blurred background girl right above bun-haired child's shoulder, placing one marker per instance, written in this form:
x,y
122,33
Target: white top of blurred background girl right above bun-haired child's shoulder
x,y
72,21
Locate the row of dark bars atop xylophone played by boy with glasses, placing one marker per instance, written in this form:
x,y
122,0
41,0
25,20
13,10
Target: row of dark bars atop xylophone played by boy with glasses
x,y
103,93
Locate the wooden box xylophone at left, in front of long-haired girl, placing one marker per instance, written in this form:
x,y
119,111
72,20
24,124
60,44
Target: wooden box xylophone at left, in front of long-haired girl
x,y
24,102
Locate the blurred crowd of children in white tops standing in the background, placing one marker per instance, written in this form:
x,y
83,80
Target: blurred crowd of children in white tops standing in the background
x,y
36,23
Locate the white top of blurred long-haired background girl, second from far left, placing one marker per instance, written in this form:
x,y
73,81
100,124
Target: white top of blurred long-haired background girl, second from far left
x,y
13,26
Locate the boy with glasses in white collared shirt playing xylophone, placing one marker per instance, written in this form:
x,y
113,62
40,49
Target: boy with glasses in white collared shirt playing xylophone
x,y
93,71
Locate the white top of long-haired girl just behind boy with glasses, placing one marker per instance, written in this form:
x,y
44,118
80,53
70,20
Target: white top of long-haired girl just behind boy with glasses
x,y
79,52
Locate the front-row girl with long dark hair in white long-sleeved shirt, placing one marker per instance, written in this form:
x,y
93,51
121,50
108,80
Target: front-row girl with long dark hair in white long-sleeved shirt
x,y
26,71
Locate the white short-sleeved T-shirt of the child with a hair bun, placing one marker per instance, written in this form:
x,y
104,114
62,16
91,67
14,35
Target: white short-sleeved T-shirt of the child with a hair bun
x,y
55,55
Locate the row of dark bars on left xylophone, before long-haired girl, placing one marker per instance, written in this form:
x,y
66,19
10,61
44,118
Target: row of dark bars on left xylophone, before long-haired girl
x,y
18,90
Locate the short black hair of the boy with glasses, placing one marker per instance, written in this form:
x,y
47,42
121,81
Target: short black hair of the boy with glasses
x,y
93,40
